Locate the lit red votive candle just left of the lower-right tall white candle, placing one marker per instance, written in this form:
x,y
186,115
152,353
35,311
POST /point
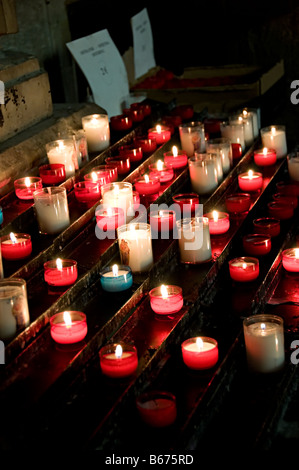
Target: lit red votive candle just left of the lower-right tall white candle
x,y
200,353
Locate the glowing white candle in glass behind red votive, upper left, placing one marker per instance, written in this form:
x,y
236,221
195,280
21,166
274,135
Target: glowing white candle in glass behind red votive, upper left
x,y
63,151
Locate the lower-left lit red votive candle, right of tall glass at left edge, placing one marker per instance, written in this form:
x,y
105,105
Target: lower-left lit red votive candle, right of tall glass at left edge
x,y
68,327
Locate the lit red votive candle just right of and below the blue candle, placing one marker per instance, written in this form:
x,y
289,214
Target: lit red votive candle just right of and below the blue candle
x,y
166,300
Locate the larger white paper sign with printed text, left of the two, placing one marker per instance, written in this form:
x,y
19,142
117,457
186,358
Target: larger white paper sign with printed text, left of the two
x,y
104,69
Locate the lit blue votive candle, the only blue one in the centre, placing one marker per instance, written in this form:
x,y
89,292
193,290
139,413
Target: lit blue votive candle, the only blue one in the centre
x,y
116,278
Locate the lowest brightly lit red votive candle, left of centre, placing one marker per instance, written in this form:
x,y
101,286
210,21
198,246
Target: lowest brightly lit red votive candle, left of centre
x,y
118,360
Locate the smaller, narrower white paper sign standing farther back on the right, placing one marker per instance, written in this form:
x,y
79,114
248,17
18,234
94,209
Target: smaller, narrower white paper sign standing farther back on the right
x,y
143,43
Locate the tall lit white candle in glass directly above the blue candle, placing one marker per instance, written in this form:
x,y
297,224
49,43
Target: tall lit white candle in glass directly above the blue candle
x,y
135,246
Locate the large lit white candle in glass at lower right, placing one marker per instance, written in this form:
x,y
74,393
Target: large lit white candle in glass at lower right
x,y
264,343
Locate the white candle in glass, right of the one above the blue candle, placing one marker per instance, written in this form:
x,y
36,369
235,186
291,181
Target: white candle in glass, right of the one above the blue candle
x,y
194,240
